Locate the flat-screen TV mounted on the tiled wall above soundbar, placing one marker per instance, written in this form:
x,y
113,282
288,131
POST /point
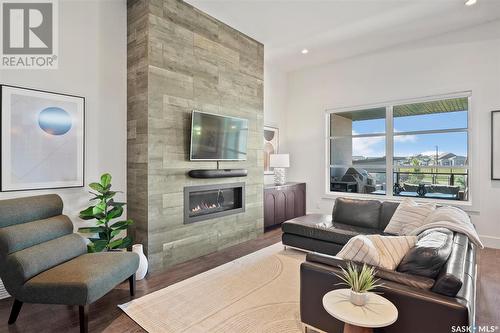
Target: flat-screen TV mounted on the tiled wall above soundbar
x,y
215,137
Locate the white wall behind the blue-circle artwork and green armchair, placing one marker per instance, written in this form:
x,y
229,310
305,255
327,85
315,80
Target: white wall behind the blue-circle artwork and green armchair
x,y
92,63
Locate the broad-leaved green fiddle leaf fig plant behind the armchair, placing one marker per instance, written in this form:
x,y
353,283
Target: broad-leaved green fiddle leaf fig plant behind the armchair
x,y
104,210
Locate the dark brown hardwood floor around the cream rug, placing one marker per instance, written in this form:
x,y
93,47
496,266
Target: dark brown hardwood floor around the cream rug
x,y
105,316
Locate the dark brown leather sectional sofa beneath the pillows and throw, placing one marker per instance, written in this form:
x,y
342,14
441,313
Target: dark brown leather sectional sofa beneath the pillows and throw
x,y
425,305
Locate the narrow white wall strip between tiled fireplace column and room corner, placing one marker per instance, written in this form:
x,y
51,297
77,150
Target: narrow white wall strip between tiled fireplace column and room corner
x,y
275,99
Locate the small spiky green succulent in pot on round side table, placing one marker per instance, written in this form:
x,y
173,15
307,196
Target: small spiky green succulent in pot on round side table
x,y
360,281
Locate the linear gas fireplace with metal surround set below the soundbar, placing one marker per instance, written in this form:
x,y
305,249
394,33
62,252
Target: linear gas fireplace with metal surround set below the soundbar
x,y
211,201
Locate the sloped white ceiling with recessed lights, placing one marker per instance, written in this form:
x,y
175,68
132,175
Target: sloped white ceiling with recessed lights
x,y
337,29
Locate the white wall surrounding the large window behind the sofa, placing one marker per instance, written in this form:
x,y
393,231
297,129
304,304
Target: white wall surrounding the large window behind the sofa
x,y
465,60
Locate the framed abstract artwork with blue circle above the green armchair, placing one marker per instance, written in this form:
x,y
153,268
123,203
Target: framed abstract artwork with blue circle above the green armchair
x,y
42,139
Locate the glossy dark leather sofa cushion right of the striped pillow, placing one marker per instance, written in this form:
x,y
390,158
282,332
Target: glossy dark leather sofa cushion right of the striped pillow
x,y
429,254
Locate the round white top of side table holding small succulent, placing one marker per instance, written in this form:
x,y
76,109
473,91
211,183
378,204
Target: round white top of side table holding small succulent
x,y
377,312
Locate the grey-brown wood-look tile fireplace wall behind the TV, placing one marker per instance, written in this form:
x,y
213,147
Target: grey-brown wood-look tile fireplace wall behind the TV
x,y
180,59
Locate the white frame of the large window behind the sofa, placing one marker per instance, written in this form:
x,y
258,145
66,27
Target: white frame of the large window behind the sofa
x,y
389,147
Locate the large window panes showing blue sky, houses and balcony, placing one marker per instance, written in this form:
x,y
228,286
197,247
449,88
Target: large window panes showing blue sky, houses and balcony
x,y
422,145
